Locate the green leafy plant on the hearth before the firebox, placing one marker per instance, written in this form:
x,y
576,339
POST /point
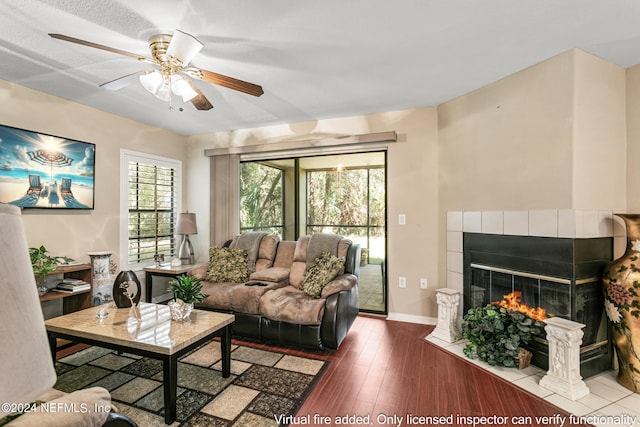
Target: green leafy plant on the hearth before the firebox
x,y
496,334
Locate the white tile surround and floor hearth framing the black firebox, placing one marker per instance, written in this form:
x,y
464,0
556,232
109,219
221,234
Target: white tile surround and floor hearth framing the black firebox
x,y
606,397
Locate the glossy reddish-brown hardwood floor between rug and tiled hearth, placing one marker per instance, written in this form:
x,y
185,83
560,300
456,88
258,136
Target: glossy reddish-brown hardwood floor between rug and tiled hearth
x,y
386,367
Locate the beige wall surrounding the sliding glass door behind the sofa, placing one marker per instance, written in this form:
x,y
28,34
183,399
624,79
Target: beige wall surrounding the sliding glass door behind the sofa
x,y
413,191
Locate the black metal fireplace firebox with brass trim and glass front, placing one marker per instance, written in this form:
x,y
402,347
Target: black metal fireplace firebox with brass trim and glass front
x,y
560,275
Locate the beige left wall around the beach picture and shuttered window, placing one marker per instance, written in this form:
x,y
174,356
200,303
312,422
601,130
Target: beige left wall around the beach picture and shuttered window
x,y
74,233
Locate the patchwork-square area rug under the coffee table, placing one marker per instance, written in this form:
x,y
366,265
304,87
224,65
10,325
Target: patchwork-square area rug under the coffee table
x,y
263,386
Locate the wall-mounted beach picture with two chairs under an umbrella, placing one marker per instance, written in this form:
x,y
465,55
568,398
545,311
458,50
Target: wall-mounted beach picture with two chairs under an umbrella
x,y
40,171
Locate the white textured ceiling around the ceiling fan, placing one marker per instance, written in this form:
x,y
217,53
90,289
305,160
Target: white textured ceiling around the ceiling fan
x,y
314,59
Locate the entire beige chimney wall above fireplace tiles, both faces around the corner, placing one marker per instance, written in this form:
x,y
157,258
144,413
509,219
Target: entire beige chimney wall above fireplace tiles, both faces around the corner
x,y
548,137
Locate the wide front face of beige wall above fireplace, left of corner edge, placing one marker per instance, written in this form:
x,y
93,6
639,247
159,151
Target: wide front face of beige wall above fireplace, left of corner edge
x,y
507,146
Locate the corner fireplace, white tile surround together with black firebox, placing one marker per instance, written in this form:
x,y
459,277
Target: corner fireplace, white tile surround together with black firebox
x,y
560,254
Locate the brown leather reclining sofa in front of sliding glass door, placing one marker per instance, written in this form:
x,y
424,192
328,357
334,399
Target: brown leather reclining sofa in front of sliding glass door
x,y
271,306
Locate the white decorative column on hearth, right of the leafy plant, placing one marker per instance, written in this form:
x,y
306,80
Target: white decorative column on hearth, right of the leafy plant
x,y
563,376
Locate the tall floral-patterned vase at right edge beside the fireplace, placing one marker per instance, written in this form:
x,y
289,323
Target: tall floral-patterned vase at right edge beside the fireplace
x,y
621,284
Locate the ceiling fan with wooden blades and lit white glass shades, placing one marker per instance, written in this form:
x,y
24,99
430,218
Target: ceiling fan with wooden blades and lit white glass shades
x,y
171,56
